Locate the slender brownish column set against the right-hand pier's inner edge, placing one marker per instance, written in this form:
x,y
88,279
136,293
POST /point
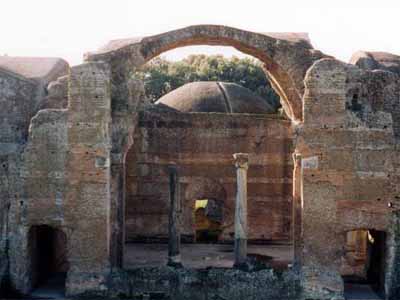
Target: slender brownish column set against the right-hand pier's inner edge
x,y
296,209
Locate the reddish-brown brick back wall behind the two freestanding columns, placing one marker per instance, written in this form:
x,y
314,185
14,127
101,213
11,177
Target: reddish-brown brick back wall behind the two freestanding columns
x,y
202,145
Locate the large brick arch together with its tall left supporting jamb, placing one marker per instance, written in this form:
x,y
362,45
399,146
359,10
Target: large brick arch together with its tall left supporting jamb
x,y
286,58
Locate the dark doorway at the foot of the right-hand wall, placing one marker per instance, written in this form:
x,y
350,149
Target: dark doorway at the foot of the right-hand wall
x,y
363,267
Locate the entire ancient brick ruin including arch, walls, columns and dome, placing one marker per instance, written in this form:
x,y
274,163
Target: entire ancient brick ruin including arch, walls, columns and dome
x,y
93,177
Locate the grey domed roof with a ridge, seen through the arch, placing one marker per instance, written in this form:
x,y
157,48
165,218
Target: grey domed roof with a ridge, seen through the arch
x,y
211,96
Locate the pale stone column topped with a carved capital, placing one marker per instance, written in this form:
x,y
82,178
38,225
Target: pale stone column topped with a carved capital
x,y
241,163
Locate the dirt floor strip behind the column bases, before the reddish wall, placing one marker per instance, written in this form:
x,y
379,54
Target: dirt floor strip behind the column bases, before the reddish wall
x,y
205,255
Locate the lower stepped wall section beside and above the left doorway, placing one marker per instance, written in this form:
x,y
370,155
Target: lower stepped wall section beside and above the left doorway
x,y
42,187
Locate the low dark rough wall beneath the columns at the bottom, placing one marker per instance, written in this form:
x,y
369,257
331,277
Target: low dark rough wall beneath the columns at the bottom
x,y
212,283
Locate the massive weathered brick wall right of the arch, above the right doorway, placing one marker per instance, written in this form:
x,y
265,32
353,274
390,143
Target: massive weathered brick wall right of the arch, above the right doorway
x,y
350,172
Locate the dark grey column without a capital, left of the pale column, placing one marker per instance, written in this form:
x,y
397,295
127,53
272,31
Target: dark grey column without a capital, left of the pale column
x,y
174,236
